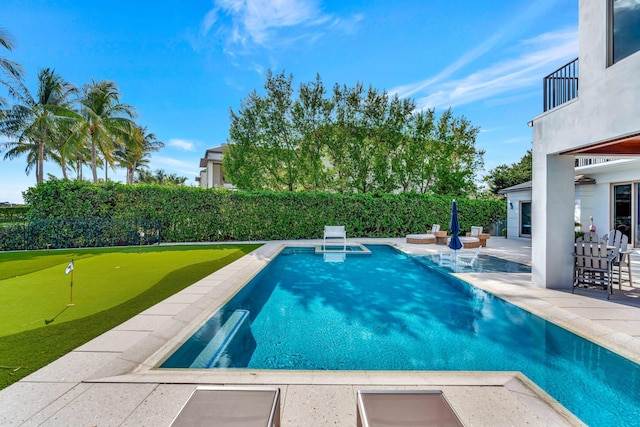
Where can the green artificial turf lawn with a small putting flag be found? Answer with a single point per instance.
(109, 287)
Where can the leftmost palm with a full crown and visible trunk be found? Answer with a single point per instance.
(33, 120)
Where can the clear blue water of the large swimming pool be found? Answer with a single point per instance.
(390, 311)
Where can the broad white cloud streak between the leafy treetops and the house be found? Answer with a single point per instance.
(541, 55)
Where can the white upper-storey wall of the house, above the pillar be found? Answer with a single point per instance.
(607, 105)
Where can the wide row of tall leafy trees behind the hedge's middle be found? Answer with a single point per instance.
(349, 139)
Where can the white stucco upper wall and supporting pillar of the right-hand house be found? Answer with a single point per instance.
(606, 108)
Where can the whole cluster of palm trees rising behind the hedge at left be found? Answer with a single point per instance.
(69, 127)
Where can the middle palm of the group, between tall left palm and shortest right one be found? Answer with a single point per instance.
(105, 119)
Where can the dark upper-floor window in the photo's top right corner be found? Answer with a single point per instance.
(624, 29)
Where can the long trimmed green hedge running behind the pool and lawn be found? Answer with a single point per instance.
(194, 214)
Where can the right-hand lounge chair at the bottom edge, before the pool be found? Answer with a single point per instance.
(388, 408)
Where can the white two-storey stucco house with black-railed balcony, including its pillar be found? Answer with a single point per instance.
(598, 117)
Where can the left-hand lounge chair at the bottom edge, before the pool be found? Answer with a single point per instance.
(231, 407)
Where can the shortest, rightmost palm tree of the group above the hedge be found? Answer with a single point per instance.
(135, 149)
